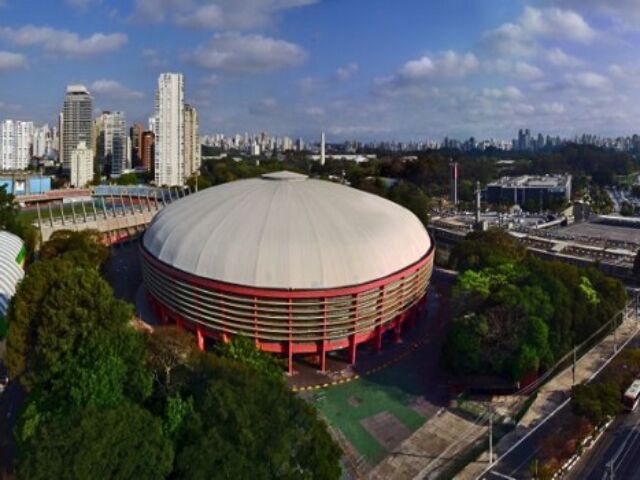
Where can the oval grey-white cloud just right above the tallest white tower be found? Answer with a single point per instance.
(236, 52)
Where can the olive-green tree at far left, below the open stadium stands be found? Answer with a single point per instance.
(57, 309)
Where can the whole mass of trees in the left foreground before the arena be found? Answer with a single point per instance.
(107, 401)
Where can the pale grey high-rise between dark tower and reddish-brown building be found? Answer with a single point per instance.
(112, 142)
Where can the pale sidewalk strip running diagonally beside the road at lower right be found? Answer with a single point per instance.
(553, 393)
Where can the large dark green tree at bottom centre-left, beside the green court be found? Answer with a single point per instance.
(231, 432)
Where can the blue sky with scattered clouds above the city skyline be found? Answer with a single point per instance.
(367, 69)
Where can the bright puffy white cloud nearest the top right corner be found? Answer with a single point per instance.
(520, 38)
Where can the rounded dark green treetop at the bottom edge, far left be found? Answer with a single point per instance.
(124, 442)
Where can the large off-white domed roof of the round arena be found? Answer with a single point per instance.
(286, 231)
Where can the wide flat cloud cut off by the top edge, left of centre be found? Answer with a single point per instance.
(219, 14)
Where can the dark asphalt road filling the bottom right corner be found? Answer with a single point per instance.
(620, 444)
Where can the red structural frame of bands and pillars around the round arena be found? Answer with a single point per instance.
(290, 347)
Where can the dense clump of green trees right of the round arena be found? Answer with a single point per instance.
(516, 314)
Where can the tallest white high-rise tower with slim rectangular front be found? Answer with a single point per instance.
(169, 130)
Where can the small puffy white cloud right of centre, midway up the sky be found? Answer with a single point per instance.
(446, 64)
